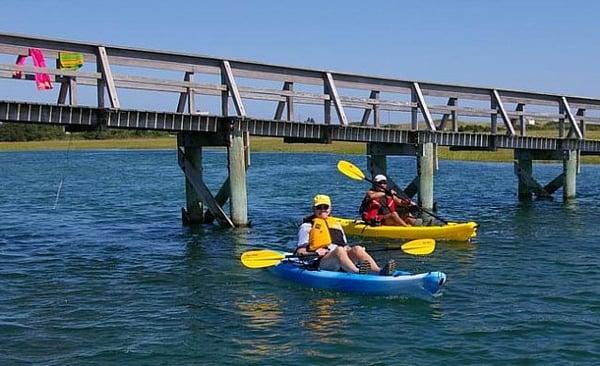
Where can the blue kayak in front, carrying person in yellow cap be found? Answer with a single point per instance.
(403, 284)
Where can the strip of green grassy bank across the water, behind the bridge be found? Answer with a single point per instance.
(259, 144)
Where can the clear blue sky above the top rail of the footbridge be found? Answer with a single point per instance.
(546, 46)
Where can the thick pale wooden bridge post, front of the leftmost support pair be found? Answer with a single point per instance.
(237, 179)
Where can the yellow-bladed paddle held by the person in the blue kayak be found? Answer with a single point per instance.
(267, 258)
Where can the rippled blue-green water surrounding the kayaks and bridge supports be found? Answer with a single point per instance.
(111, 277)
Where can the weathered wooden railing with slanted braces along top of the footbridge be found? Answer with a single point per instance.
(114, 64)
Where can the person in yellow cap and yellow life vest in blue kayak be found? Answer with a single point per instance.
(321, 234)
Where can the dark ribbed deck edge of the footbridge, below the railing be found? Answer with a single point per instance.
(92, 117)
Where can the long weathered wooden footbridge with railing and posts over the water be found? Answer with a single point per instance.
(109, 70)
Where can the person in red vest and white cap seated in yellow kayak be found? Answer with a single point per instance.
(383, 207)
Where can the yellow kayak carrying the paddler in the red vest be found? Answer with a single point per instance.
(453, 231)
